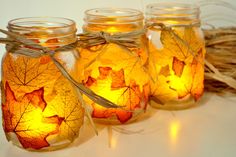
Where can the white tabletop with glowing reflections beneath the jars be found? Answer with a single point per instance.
(208, 130)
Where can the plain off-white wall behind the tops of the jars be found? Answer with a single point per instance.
(74, 9)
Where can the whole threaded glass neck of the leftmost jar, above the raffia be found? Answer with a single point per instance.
(48, 31)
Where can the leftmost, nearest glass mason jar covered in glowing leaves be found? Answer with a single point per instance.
(40, 107)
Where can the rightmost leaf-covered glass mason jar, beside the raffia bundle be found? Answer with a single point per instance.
(177, 50)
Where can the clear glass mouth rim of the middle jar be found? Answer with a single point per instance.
(119, 15)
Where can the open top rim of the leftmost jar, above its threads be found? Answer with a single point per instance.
(40, 22)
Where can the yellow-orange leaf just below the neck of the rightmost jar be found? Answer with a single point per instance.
(182, 43)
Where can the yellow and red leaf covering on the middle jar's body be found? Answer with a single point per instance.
(110, 72)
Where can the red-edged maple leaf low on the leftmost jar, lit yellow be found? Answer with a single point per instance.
(26, 120)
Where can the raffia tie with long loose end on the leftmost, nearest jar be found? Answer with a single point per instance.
(15, 44)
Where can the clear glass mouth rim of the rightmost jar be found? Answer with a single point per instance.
(173, 9)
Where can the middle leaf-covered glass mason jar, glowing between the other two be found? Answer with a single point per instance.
(115, 72)
